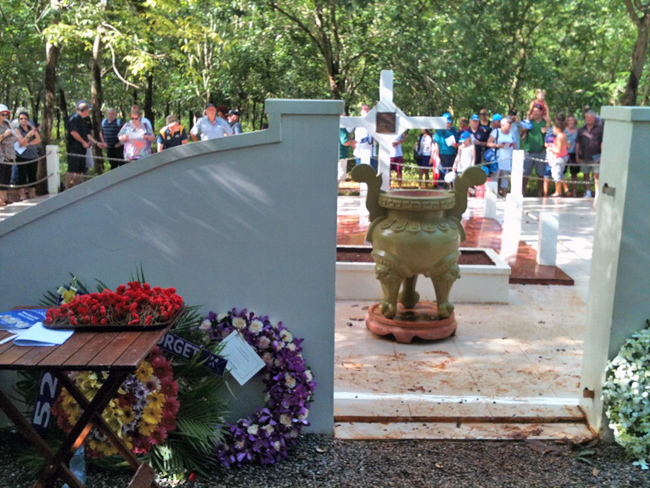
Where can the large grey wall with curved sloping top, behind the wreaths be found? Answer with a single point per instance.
(247, 221)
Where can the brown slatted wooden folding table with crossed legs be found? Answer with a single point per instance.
(118, 354)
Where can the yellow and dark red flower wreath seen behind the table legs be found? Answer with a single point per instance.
(142, 414)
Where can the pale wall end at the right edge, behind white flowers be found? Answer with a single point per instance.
(620, 264)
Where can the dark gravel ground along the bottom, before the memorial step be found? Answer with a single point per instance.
(321, 461)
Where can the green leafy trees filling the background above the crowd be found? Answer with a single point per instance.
(175, 56)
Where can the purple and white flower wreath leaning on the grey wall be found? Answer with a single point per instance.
(266, 436)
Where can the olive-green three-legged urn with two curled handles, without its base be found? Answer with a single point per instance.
(416, 232)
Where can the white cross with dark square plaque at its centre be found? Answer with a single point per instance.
(402, 123)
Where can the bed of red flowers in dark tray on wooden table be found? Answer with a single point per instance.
(135, 303)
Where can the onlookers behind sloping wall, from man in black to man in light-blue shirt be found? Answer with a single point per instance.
(132, 140)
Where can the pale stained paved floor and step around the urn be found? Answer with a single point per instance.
(510, 372)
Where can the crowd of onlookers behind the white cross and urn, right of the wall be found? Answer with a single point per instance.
(554, 148)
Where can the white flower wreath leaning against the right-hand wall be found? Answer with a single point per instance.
(626, 397)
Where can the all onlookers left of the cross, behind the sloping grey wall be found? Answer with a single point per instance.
(122, 141)
